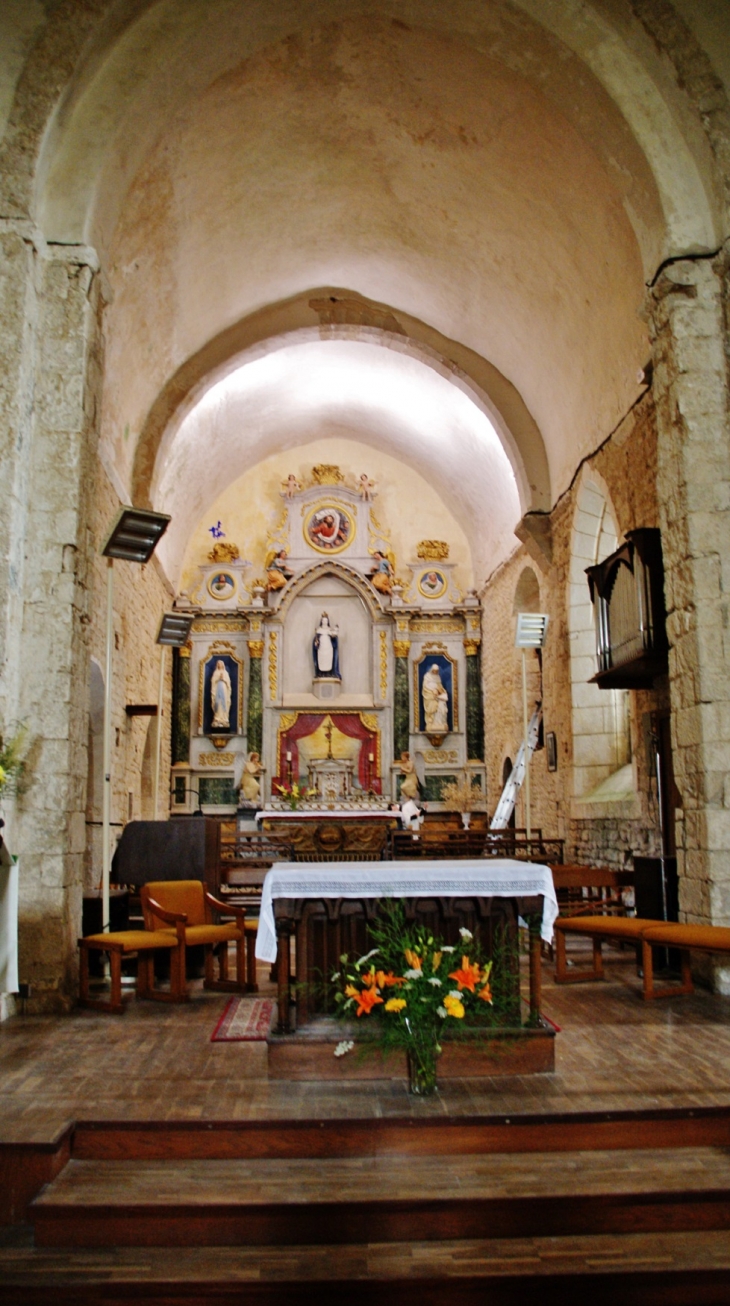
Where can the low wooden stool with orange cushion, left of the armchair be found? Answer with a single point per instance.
(146, 944)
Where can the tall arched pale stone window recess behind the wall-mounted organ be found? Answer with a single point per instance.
(600, 718)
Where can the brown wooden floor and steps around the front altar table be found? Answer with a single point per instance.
(609, 1180)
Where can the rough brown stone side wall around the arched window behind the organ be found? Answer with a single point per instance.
(599, 829)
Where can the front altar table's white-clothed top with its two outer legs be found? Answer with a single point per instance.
(528, 885)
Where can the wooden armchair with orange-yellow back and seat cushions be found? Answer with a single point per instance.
(165, 903)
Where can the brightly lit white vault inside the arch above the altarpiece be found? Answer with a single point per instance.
(386, 400)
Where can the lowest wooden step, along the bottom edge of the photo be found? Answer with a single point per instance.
(635, 1270)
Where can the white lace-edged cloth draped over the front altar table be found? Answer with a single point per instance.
(468, 878)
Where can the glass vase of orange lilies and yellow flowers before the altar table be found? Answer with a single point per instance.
(417, 989)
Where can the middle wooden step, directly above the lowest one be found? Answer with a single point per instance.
(383, 1200)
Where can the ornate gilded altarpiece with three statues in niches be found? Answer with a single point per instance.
(323, 667)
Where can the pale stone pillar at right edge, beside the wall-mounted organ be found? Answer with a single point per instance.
(688, 314)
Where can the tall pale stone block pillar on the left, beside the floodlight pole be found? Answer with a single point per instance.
(46, 675)
